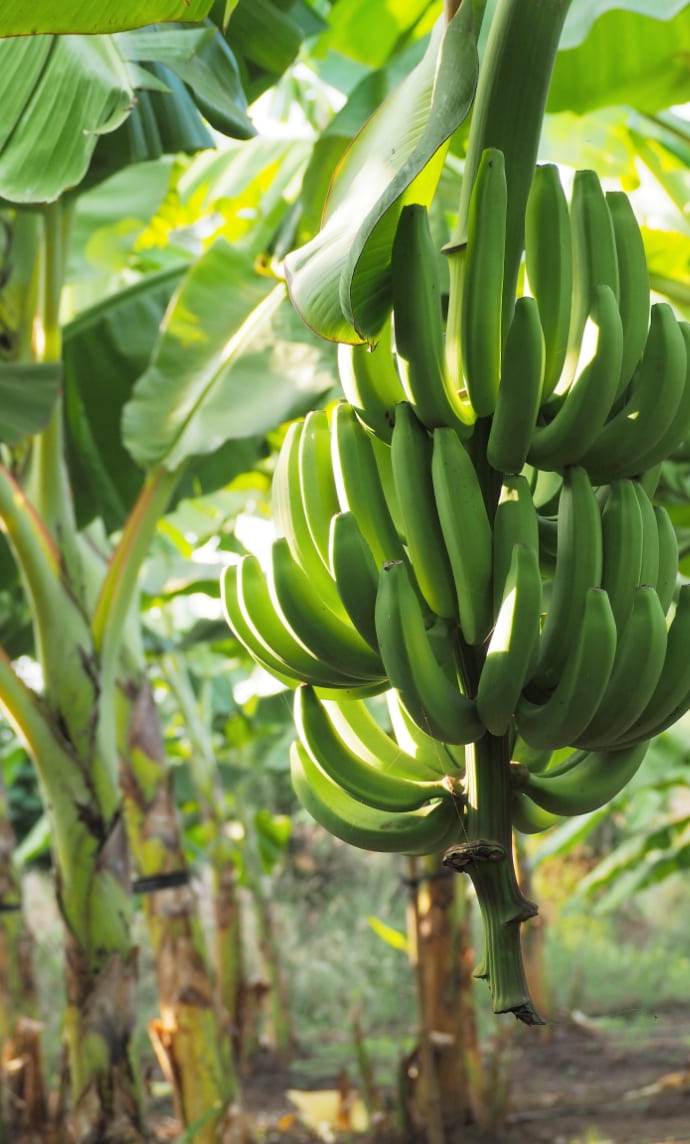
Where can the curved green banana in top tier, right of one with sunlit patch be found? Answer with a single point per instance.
(653, 401)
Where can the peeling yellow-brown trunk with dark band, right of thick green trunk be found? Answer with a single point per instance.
(191, 1042)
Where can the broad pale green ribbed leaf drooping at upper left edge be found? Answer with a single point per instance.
(59, 96)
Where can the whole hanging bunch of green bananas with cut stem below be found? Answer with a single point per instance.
(473, 534)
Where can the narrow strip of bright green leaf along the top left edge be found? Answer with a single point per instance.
(27, 18)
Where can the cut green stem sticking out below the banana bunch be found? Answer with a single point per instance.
(487, 859)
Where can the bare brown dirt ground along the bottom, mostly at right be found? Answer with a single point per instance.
(573, 1084)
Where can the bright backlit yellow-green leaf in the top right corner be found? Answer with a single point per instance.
(633, 58)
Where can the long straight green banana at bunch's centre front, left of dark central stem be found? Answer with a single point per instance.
(466, 533)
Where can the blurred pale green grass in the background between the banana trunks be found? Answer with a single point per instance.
(618, 970)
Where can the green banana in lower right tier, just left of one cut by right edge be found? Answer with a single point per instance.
(637, 672)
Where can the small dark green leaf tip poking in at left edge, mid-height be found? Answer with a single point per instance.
(28, 395)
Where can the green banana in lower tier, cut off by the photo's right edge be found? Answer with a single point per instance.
(672, 695)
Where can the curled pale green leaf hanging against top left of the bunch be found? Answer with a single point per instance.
(340, 282)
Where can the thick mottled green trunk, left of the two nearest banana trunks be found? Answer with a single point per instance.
(92, 872)
